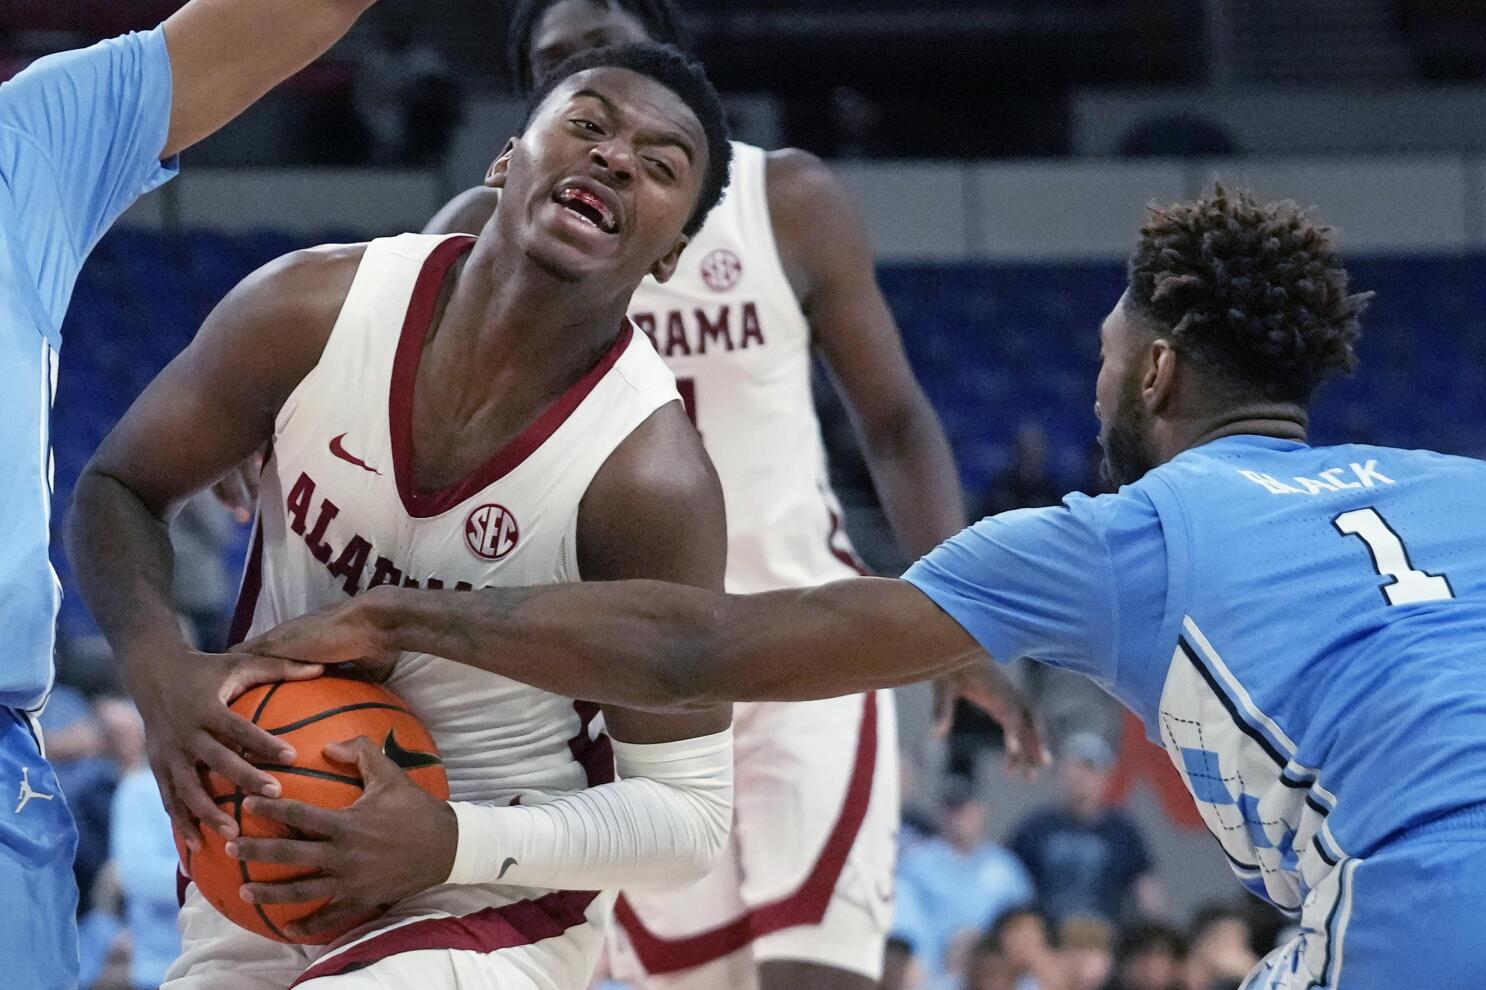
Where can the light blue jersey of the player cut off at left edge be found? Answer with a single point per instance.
(81, 137)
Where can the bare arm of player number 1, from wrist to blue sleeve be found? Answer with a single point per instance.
(665, 647)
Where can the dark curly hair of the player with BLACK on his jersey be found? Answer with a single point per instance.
(1253, 294)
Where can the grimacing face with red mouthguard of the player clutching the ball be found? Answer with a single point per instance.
(604, 179)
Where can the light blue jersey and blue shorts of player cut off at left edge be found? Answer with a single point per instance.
(81, 137)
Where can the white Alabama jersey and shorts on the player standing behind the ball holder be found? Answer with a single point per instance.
(808, 875)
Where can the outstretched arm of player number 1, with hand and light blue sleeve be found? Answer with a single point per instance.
(1035, 583)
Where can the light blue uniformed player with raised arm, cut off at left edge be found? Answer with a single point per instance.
(82, 136)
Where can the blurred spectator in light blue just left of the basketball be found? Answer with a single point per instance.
(142, 850)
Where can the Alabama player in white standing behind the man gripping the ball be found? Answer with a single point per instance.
(781, 273)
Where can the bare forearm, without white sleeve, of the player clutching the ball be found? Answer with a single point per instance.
(124, 563)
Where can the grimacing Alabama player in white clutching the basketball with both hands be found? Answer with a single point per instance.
(454, 412)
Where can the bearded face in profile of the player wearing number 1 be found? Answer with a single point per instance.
(1124, 420)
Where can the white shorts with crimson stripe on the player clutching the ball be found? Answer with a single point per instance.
(448, 939)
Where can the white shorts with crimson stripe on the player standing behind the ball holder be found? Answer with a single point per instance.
(809, 869)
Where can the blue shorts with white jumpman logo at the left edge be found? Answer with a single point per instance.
(38, 891)
